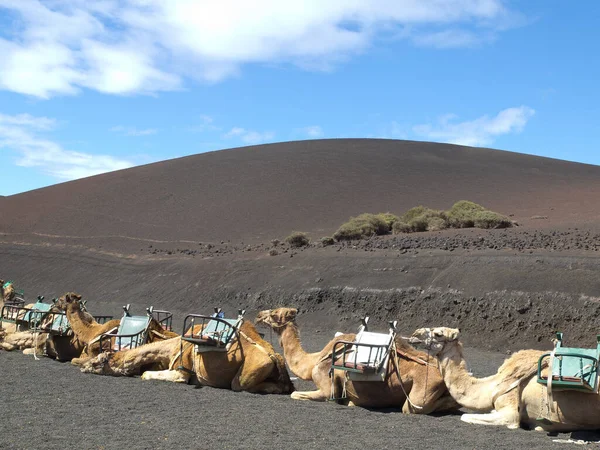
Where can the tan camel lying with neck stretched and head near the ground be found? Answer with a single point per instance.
(250, 364)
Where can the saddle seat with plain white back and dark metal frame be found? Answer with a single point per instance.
(364, 359)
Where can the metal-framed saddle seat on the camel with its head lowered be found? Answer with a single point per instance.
(211, 333)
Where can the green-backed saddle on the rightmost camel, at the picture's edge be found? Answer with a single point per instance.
(572, 368)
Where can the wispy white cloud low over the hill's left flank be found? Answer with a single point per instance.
(21, 134)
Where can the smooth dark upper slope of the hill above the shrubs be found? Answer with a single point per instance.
(263, 192)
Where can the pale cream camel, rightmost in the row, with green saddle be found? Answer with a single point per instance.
(512, 396)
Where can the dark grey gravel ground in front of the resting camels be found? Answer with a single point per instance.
(51, 405)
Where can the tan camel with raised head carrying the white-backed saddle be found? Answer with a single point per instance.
(410, 376)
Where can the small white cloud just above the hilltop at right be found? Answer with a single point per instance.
(478, 132)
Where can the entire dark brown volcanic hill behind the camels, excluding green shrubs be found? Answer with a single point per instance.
(194, 232)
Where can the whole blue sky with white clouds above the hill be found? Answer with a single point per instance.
(92, 86)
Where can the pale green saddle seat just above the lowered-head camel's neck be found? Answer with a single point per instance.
(131, 333)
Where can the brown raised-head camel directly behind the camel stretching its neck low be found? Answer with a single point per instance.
(88, 334)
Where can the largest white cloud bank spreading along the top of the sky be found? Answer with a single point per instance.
(58, 47)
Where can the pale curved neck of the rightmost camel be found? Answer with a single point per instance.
(468, 391)
